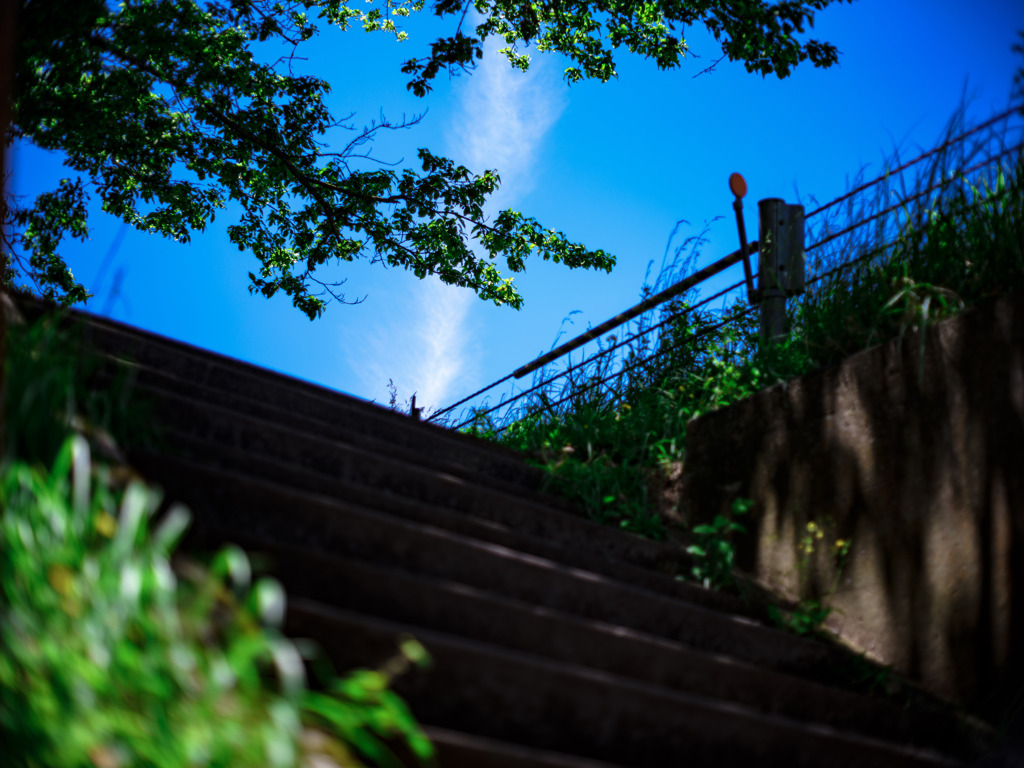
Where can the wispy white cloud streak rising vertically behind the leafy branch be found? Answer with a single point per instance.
(500, 123)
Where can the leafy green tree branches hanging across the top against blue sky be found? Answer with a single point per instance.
(165, 111)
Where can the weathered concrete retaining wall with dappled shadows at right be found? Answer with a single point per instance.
(920, 462)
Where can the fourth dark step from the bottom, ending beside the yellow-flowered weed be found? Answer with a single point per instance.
(345, 530)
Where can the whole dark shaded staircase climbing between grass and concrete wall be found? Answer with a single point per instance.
(557, 643)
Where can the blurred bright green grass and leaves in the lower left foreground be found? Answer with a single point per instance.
(116, 651)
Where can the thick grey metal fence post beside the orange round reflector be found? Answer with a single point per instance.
(781, 269)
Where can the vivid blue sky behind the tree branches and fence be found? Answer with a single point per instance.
(613, 165)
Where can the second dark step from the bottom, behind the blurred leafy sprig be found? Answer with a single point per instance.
(504, 695)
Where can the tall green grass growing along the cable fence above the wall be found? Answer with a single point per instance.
(612, 433)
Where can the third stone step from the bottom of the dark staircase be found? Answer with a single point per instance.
(418, 602)
